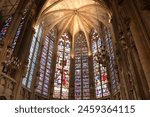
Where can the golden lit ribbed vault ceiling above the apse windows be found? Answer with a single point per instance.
(74, 15)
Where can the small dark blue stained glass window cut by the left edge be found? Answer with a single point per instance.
(5, 27)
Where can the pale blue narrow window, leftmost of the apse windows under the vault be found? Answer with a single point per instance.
(32, 57)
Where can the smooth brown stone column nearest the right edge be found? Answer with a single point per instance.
(142, 42)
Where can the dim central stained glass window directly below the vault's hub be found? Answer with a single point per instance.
(82, 90)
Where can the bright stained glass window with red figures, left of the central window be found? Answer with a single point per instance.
(62, 73)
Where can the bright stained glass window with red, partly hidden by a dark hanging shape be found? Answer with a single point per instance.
(100, 71)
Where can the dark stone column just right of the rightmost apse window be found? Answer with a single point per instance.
(121, 59)
